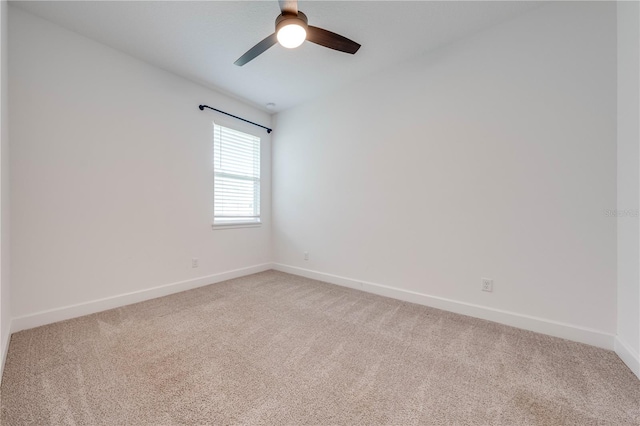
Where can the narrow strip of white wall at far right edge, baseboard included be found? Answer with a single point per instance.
(628, 342)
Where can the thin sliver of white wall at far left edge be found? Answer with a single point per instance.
(5, 296)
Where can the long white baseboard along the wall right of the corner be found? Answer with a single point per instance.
(526, 322)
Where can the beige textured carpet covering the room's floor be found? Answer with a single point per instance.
(274, 348)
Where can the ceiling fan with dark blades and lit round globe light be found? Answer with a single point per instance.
(292, 30)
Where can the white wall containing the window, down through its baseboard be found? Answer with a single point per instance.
(112, 178)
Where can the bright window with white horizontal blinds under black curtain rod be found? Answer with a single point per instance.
(236, 177)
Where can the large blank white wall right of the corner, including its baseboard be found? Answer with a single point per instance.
(492, 157)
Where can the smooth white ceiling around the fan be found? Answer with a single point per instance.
(200, 40)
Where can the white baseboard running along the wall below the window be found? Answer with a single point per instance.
(67, 312)
